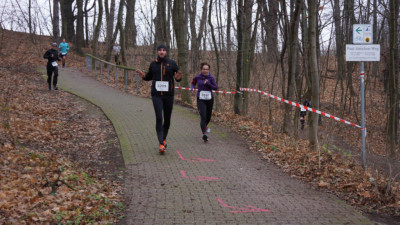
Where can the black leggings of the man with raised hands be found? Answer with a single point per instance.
(163, 103)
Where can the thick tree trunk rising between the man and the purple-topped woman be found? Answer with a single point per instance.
(180, 27)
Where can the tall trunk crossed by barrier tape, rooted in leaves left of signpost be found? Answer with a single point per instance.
(312, 14)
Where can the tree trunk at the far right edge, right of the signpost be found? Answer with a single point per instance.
(393, 117)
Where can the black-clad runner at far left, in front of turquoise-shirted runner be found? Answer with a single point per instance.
(52, 66)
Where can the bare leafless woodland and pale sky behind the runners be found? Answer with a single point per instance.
(293, 49)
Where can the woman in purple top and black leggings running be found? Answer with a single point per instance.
(205, 97)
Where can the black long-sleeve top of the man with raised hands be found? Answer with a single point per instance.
(162, 70)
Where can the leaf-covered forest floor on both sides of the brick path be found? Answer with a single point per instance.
(50, 133)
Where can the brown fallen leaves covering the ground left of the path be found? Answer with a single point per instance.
(45, 141)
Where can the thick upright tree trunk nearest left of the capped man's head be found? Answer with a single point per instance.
(130, 24)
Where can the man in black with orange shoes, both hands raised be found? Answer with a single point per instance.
(162, 72)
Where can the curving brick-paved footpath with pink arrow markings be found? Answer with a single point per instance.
(219, 182)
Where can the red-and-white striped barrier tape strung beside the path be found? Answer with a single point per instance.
(285, 101)
